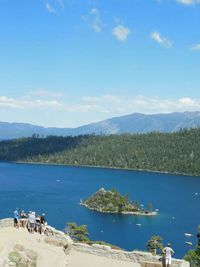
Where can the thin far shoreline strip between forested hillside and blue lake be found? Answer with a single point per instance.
(103, 167)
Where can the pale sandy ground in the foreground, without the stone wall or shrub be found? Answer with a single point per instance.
(49, 255)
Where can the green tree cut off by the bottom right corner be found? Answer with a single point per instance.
(193, 256)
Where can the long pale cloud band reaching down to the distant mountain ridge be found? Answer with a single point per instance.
(89, 108)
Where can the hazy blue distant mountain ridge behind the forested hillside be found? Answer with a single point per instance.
(132, 123)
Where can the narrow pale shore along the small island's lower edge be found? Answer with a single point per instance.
(136, 213)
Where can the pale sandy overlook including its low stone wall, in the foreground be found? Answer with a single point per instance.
(34, 250)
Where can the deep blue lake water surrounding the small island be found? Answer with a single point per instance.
(57, 190)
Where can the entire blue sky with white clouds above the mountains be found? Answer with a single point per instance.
(67, 63)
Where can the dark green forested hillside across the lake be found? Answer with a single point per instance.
(167, 152)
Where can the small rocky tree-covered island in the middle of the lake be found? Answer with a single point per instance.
(111, 201)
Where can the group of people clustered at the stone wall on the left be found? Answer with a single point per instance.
(31, 221)
